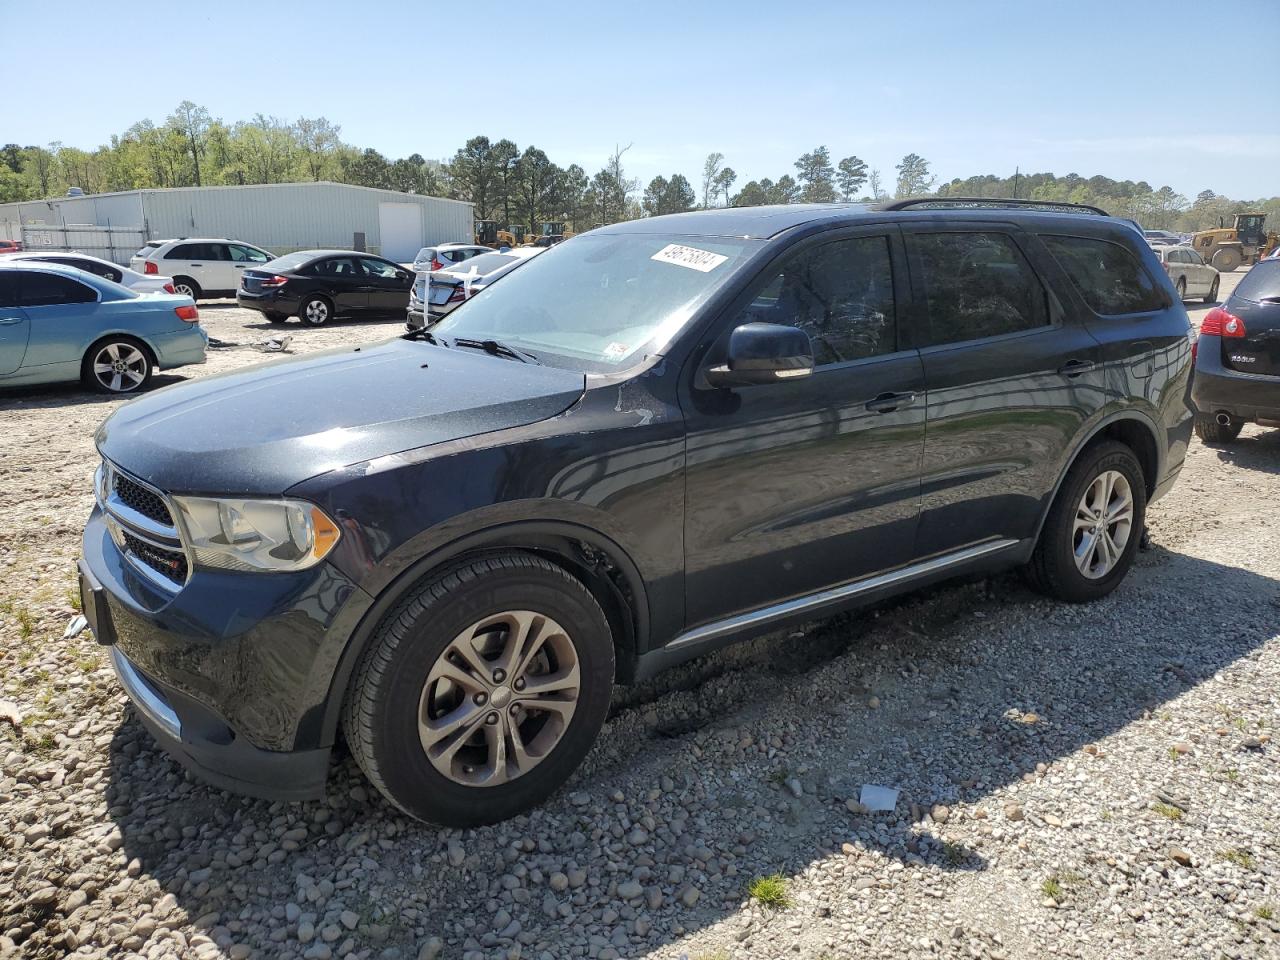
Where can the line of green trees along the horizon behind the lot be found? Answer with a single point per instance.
(527, 188)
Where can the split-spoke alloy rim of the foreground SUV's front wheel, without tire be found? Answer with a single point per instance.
(500, 698)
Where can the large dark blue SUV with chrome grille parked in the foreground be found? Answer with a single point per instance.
(659, 438)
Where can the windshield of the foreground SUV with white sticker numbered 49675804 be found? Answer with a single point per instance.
(600, 304)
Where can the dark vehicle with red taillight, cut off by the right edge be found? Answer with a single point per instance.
(1238, 359)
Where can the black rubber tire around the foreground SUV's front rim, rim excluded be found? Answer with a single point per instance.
(381, 715)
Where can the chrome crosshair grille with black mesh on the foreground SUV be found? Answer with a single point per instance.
(141, 523)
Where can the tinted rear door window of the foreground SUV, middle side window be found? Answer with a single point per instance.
(979, 286)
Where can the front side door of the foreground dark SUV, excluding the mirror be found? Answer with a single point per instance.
(808, 483)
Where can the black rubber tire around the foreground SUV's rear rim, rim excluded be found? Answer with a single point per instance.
(1053, 569)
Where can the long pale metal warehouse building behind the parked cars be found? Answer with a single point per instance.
(280, 217)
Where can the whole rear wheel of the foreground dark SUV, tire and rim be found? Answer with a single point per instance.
(1094, 528)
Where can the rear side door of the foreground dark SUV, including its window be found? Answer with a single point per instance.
(1012, 380)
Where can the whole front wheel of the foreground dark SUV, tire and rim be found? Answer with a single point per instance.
(483, 692)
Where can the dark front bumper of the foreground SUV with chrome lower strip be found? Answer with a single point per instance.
(232, 674)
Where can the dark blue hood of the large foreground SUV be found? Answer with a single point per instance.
(264, 429)
